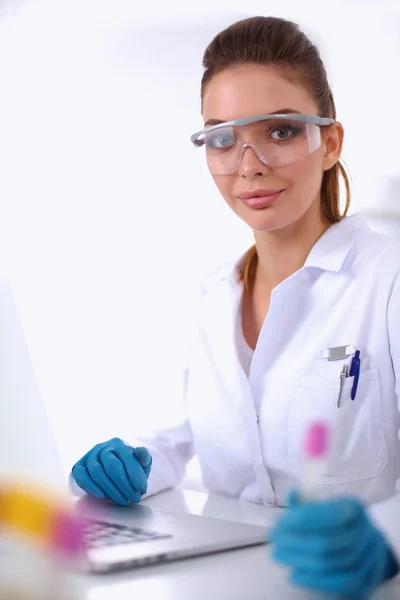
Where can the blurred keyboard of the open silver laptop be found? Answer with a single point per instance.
(101, 533)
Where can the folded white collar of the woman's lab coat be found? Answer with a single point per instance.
(332, 248)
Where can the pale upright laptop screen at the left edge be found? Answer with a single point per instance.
(27, 447)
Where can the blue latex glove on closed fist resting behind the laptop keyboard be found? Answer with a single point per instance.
(115, 471)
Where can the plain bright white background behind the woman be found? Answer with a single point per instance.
(107, 224)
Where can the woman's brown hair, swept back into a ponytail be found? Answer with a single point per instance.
(281, 44)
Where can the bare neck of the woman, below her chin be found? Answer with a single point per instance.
(283, 252)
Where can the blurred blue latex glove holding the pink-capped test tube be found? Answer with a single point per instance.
(332, 547)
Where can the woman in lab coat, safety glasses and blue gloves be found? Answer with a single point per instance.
(279, 329)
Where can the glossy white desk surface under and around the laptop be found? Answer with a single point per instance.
(247, 573)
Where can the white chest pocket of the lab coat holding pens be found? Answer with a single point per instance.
(357, 443)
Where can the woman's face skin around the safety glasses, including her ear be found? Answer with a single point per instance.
(250, 90)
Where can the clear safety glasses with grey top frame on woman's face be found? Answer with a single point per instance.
(278, 140)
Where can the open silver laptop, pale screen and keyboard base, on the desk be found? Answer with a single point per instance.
(116, 537)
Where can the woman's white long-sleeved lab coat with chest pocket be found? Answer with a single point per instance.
(347, 293)
